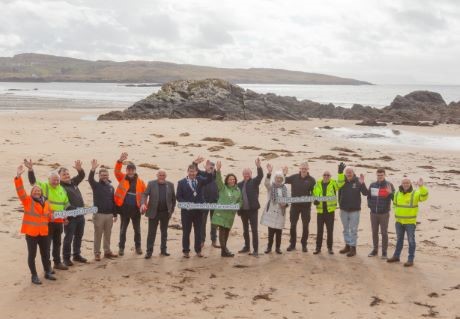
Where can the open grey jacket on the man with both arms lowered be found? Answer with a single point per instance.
(150, 198)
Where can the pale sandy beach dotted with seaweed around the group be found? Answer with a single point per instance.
(293, 285)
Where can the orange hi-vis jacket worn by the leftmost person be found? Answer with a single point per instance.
(36, 217)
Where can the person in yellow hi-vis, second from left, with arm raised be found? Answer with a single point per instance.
(59, 201)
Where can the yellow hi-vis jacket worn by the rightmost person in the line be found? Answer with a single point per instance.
(406, 205)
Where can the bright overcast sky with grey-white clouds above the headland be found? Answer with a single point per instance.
(411, 41)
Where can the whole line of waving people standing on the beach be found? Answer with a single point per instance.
(157, 200)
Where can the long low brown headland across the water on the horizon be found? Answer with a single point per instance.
(41, 67)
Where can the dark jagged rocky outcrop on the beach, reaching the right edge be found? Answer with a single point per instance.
(220, 100)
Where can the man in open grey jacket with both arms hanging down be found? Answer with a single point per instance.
(158, 203)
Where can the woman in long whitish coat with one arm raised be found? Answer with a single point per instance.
(274, 215)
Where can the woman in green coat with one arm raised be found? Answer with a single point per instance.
(229, 194)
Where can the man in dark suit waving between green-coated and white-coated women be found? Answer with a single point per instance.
(249, 212)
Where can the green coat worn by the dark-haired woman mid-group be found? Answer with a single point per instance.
(227, 195)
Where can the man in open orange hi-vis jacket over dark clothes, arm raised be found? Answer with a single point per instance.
(127, 198)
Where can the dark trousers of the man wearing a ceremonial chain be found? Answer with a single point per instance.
(191, 218)
